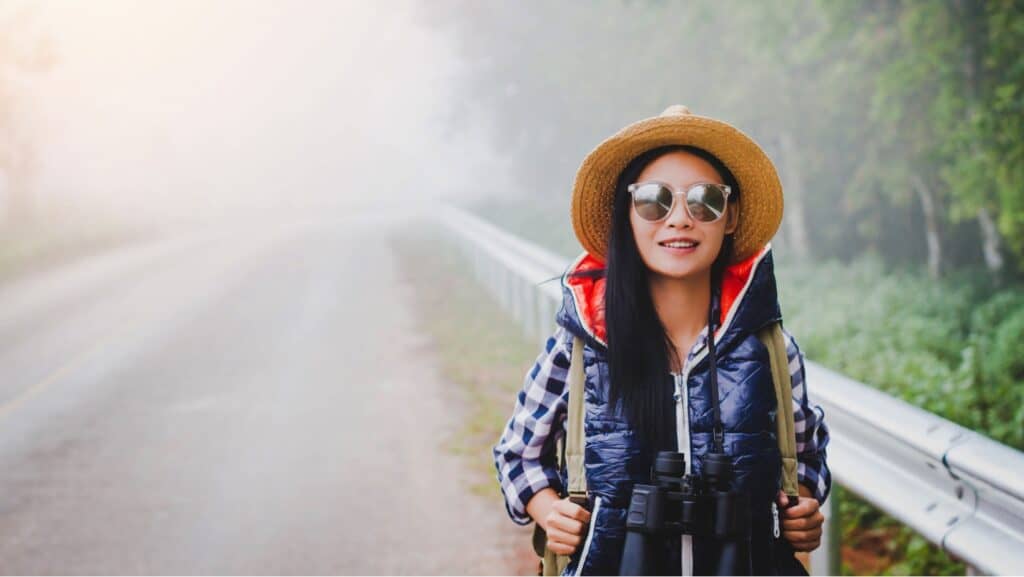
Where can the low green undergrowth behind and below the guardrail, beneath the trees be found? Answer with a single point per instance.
(953, 348)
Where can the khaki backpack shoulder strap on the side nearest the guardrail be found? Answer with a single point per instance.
(774, 340)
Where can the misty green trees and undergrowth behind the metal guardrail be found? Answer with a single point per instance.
(898, 129)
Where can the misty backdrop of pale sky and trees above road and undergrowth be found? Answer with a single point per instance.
(891, 126)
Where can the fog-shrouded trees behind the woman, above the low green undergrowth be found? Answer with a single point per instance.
(865, 108)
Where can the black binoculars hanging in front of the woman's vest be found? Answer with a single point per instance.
(677, 505)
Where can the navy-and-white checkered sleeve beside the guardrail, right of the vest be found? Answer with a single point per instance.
(813, 433)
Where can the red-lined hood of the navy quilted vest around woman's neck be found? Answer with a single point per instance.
(750, 299)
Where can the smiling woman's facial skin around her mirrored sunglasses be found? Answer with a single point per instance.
(681, 170)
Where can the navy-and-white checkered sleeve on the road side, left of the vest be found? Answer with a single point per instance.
(526, 456)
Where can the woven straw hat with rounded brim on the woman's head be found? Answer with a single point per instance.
(760, 190)
